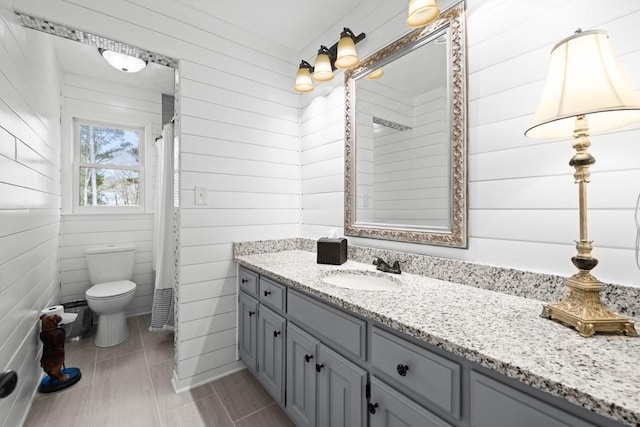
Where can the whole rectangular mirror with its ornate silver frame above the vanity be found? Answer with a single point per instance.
(406, 138)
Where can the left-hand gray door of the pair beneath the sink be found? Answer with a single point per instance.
(301, 376)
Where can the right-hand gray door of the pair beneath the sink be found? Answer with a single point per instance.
(341, 391)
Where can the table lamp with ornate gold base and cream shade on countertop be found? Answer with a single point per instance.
(585, 93)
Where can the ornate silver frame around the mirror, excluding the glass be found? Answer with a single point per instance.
(457, 235)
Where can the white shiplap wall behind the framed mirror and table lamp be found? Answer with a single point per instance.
(522, 200)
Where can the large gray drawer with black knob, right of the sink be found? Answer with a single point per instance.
(415, 370)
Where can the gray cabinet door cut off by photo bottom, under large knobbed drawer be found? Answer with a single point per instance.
(389, 408)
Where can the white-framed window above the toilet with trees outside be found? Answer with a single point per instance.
(109, 165)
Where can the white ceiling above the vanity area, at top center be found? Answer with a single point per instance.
(290, 23)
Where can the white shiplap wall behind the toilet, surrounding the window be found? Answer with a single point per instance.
(91, 99)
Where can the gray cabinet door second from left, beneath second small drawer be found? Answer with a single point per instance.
(271, 340)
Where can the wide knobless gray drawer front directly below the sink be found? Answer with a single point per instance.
(341, 329)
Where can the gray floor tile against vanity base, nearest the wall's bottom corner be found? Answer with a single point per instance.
(241, 394)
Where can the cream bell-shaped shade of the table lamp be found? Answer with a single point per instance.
(584, 78)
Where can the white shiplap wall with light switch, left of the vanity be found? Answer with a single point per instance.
(239, 137)
